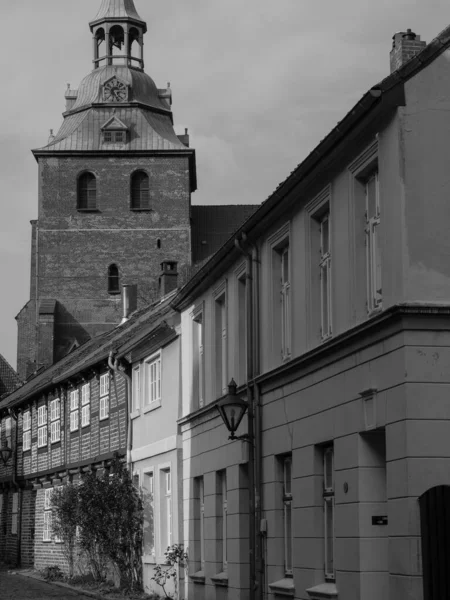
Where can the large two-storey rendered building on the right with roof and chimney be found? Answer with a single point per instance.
(329, 307)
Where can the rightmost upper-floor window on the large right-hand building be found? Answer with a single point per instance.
(373, 260)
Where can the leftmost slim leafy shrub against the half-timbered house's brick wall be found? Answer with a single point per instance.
(64, 503)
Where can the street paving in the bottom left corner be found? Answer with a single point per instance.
(18, 587)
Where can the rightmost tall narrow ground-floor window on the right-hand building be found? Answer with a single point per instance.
(328, 504)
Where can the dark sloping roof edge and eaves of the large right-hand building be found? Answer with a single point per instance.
(377, 101)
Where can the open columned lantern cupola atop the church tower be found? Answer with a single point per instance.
(118, 35)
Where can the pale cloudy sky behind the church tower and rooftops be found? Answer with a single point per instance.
(258, 83)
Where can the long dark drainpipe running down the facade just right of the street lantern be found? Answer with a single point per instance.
(256, 589)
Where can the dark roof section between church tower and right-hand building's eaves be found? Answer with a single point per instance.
(213, 225)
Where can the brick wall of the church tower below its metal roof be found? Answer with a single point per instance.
(76, 248)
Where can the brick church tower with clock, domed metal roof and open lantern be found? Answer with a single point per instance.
(115, 188)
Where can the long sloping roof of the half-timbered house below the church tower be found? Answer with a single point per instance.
(92, 352)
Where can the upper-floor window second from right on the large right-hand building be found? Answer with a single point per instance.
(325, 277)
